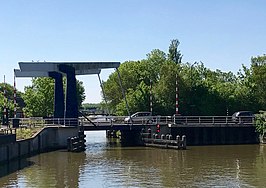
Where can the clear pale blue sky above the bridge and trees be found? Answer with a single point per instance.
(221, 34)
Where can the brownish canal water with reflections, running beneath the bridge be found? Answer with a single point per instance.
(106, 164)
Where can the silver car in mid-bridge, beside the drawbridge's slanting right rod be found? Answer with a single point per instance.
(139, 117)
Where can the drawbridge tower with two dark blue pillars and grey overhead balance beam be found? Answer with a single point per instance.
(63, 108)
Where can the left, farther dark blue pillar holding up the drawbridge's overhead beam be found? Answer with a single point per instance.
(58, 95)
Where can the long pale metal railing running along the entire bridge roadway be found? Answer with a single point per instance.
(121, 120)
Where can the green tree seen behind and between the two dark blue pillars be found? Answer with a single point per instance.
(39, 97)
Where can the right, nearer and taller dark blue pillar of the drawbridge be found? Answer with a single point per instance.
(71, 110)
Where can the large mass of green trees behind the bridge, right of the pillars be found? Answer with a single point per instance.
(201, 91)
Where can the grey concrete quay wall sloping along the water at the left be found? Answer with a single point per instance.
(48, 139)
